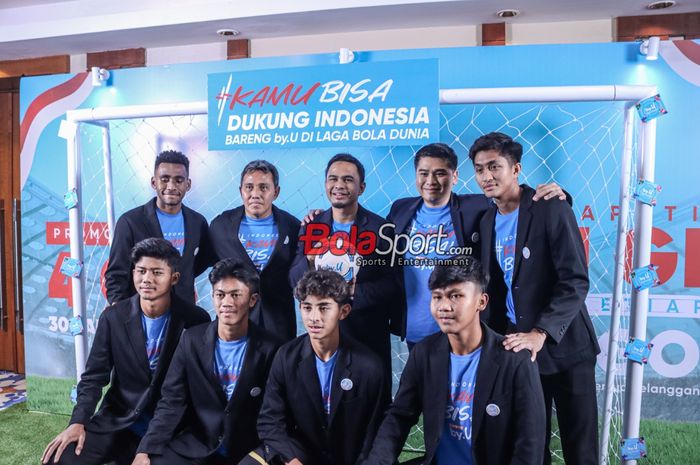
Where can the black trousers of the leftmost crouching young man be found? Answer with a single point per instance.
(118, 447)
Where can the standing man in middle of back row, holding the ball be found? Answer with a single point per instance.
(374, 287)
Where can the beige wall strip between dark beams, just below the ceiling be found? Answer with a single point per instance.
(429, 37)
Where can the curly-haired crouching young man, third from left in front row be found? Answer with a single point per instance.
(326, 393)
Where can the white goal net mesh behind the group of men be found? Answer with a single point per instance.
(577, 145)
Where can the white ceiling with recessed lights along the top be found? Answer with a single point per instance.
(31, 28)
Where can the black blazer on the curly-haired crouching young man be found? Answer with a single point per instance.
(292, 422)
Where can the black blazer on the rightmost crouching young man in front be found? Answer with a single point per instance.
(509, 380)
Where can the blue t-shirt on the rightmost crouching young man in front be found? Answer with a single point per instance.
(456, 440)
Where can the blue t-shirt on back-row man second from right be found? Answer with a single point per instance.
(420, 322)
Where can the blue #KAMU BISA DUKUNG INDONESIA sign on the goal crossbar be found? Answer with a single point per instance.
(385, 103)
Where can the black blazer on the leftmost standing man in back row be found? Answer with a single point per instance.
(141, 223)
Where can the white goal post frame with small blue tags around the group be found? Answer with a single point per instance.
(645, 159)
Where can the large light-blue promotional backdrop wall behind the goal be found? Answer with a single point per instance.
(578, 145)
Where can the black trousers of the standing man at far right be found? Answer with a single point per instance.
(574, 395)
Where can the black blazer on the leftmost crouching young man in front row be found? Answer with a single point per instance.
(118, 355)
